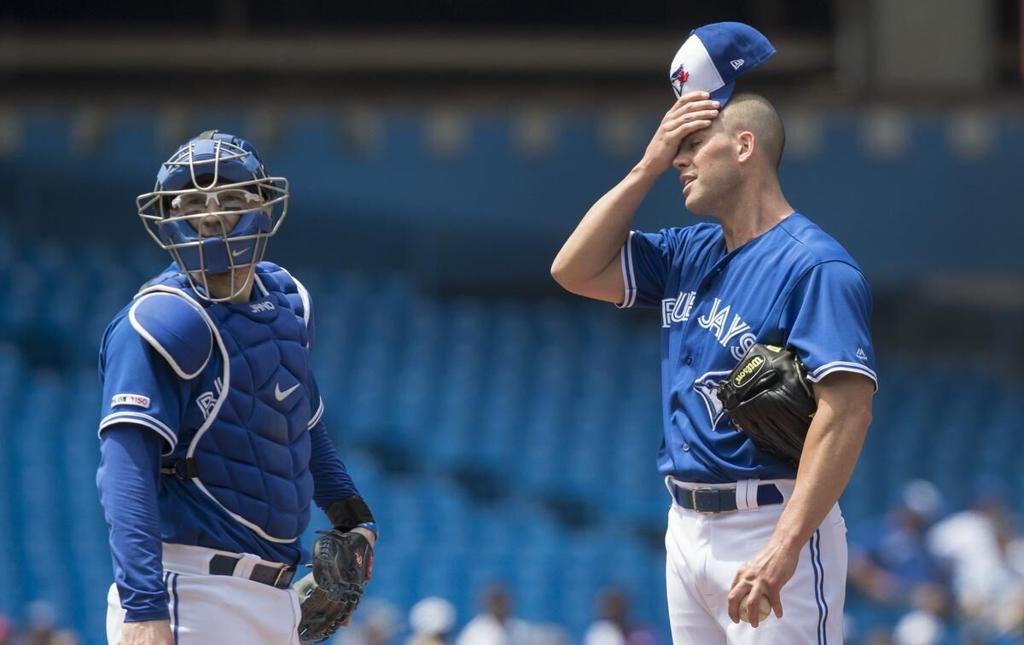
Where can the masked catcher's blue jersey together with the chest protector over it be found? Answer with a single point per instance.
(233, 505)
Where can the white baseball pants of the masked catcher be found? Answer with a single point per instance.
(222, 610)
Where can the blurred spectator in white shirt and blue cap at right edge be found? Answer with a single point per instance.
(982, 546)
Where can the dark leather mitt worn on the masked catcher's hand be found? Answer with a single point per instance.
(343, 566)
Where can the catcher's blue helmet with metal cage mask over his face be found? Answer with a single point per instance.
(209, 182)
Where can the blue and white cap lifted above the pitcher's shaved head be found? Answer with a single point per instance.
(715, 56)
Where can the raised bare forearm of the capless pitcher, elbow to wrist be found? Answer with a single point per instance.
(601, 235)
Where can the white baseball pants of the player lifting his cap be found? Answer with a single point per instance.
(705, 551)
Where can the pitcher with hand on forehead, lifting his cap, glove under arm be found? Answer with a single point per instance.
(767, 366)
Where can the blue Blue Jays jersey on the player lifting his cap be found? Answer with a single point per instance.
(793, 286)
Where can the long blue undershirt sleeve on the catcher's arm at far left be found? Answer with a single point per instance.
(127, 480)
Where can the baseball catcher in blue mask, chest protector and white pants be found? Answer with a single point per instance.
(214, 445)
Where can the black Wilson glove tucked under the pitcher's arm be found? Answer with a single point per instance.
(769, 398)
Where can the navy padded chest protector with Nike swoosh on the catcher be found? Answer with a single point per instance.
(251, 453)
